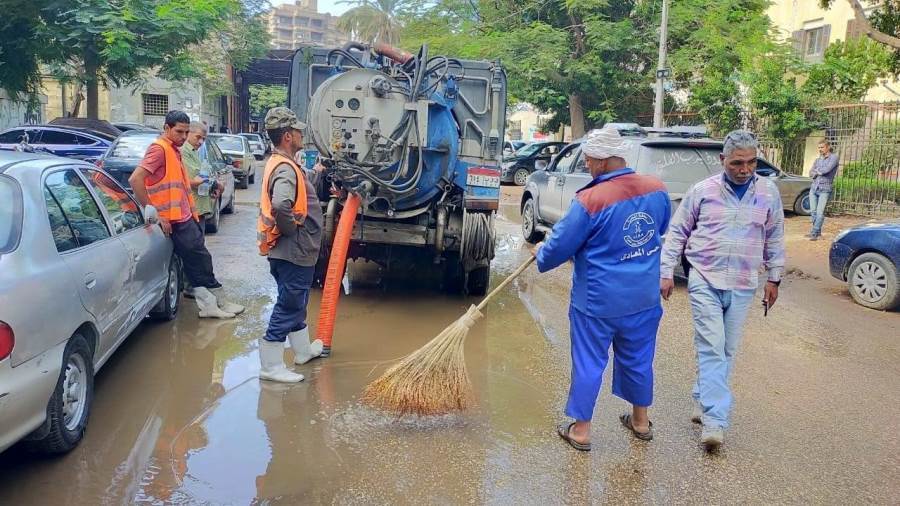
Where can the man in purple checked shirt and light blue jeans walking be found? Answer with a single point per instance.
(727, 227)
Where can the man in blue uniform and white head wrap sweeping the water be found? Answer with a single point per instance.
(613, 232)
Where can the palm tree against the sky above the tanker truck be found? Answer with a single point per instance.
(375, 20)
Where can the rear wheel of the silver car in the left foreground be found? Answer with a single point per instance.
(70, 405)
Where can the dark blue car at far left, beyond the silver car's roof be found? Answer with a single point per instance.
(70, 142)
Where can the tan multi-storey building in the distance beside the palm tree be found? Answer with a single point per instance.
(300, 23)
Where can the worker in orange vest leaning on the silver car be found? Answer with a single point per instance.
(161, 181)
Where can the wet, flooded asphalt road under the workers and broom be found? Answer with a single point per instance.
(180, 417)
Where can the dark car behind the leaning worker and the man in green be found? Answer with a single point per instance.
(128, 150)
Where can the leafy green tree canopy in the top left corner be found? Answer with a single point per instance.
(96, 42)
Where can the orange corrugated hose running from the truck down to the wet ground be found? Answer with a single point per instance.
(335, 273)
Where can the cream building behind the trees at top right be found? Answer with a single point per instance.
(811, 29)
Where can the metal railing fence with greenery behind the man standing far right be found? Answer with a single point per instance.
(866, 138)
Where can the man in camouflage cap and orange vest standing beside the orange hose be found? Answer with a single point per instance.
(290, 233)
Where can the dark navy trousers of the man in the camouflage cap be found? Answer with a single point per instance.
(289, 313)
